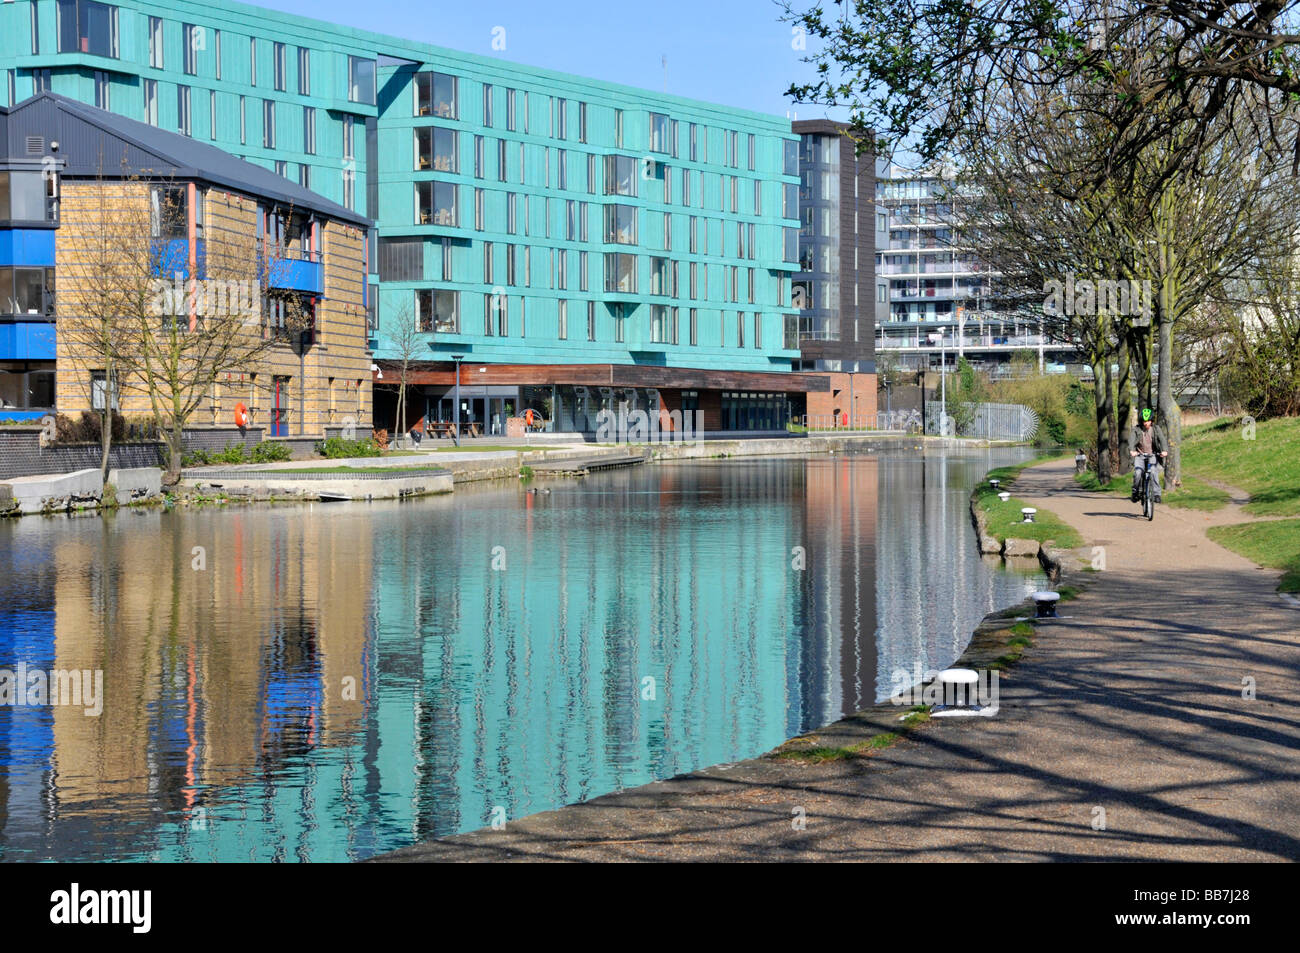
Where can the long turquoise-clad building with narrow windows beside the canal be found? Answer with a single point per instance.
(564, 245)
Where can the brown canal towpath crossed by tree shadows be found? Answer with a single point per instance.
(1128, 712)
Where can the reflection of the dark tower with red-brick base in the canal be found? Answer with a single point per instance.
(838, 653)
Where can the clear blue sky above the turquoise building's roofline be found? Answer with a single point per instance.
(734, 53)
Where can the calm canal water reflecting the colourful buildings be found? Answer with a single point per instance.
(331, 683)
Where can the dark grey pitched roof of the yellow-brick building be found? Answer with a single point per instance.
(94, 142)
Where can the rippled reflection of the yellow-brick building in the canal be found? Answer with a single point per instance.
(213, 675)
